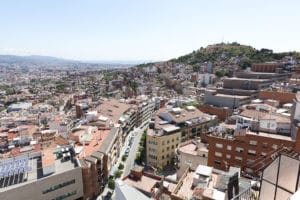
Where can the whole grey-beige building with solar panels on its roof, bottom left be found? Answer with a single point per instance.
(53, 173)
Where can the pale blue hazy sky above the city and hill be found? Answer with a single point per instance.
(143, 30)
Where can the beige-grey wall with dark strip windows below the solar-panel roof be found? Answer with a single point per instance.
(33, 190)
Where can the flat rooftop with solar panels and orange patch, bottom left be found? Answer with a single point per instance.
(33, 166)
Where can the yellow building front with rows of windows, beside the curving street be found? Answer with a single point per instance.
(161, 145)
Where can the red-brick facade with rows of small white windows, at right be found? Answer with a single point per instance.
(250, 151)
